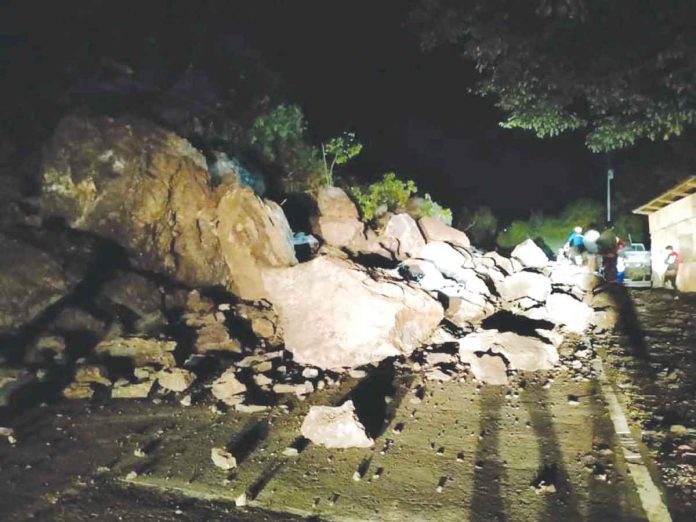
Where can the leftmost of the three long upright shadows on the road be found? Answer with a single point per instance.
(487, 502)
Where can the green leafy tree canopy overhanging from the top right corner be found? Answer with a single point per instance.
(619, 70)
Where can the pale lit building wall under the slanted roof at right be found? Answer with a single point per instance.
(675, 225)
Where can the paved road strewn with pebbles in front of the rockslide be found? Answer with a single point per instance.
(543, 449)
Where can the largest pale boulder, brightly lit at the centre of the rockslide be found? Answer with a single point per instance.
(335, 314)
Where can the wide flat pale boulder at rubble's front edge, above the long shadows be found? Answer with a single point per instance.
(522, 352)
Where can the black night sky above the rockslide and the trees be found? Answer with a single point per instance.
(355, 65)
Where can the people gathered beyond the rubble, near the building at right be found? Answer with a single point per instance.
(588, 248)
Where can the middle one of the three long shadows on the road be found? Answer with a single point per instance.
(561, 505)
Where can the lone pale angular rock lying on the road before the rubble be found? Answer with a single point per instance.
(335, 427)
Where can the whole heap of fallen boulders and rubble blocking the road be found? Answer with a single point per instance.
(432, 297)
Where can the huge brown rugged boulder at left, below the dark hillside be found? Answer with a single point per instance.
(149, 190)
